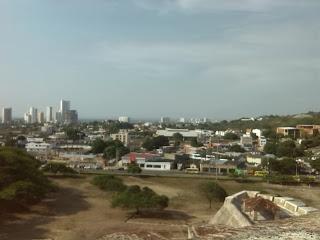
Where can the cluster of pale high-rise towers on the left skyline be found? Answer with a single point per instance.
(64, 115)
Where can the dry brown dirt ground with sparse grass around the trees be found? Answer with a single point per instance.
(78, 210)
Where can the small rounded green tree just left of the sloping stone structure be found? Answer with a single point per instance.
(213, 191)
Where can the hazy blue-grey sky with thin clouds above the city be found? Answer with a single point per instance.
(220, 59)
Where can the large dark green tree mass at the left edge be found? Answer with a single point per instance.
(21, 181)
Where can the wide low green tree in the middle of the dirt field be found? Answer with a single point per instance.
(136, 198)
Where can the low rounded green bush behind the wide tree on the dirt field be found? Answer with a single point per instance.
(109, 183)
